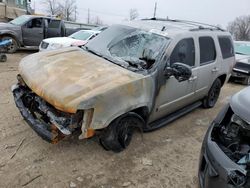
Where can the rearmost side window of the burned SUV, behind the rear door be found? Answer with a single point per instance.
(226, 47)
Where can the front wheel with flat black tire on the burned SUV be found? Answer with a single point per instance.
(117, 136)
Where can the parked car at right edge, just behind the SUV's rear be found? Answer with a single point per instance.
(241, 70)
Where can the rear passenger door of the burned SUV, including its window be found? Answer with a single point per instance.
(209, 66)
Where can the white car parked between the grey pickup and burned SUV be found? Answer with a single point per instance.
(79, 38)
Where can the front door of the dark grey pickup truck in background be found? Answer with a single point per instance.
(33, 32)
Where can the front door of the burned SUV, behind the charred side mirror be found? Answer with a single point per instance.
(174, 95)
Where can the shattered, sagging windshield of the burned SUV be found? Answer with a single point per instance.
(129, 47)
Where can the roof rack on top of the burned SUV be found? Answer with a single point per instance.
(200, 26)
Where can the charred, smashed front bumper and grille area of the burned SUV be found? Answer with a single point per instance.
(48, 122)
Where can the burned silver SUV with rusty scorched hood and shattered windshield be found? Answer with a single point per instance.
(141, 74)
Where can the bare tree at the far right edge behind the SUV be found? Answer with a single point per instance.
(240, 28)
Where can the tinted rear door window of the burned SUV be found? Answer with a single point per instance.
(207, 50)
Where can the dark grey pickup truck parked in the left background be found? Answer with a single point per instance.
(28, 31)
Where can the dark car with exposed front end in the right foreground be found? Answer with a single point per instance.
(225, 153)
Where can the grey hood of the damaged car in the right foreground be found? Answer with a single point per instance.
(240, 104)
